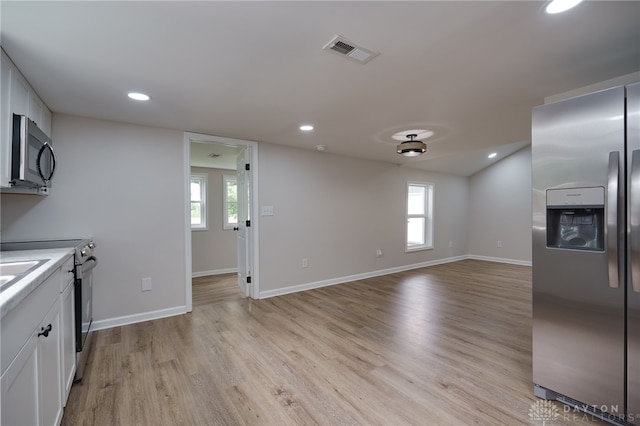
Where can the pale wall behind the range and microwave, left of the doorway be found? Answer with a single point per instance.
(123, 185)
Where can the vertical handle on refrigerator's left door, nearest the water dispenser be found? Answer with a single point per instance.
(612, 218)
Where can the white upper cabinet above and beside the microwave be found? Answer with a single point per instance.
(16, 97)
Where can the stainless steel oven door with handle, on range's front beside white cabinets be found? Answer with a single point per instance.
(84, 300)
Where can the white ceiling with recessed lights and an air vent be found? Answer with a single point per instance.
(469, 71)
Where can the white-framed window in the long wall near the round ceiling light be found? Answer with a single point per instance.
(419, 216)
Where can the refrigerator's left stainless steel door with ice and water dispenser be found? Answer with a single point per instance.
(578, 294)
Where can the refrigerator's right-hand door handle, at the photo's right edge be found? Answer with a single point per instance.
(634, 219)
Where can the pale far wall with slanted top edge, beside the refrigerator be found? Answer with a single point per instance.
(500, 210)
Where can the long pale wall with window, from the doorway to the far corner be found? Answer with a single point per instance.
(336, 211)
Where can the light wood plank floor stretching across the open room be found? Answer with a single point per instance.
(444, 345)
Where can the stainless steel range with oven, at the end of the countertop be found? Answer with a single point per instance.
(85, 261)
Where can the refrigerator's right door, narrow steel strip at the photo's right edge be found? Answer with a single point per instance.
(633, 229)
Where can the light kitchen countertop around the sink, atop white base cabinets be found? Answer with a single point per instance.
(13, 295)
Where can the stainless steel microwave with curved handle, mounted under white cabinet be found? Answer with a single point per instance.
(33, 161)
